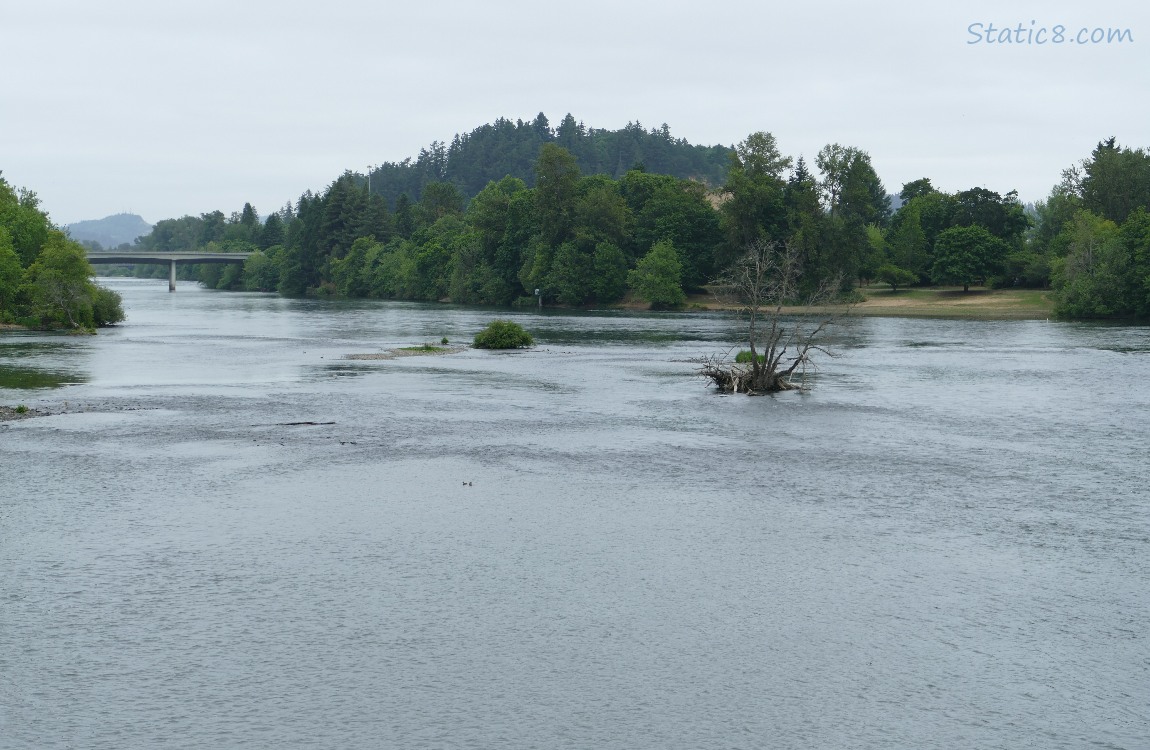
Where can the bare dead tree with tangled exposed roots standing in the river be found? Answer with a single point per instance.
(784, 332)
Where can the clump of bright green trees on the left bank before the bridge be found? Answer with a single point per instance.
(45, 278)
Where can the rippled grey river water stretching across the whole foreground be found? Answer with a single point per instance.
(945, 544)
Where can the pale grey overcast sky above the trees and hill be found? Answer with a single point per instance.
(178, 108)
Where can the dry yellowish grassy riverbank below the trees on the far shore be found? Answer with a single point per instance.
(946, 303)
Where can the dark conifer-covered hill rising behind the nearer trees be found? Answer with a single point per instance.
(505, 148)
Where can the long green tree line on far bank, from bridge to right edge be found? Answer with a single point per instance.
(579, 239)
